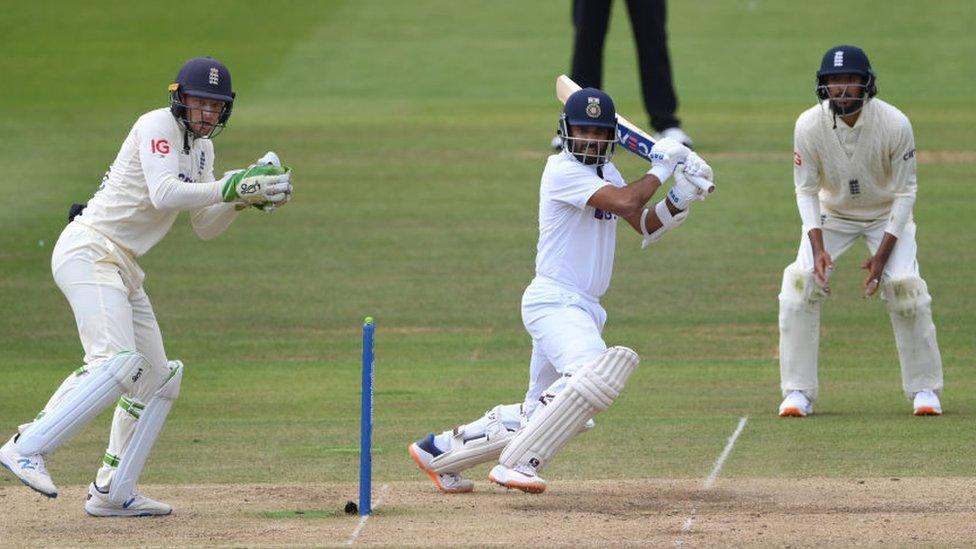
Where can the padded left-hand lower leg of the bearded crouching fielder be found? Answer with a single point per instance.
(799, 331)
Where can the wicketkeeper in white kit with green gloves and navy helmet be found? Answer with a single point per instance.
(165, 166)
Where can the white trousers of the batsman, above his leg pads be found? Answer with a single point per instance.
(566, 328)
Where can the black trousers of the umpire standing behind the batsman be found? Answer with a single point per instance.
(647, 19)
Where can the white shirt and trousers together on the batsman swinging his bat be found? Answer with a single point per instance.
(574, 262)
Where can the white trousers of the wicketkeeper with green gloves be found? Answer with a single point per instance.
(103, 285)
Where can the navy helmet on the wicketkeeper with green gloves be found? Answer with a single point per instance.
(206, 78)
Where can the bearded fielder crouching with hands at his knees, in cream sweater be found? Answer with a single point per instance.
(854, 171)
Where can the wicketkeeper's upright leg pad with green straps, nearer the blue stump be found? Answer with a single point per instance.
(148, 427)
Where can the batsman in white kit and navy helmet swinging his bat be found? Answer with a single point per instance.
(572, 374)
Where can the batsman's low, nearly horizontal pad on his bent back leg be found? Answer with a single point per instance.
(473, 448)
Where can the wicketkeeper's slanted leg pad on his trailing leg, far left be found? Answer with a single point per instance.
(101, 388)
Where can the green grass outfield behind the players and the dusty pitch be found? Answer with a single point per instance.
(417, 132)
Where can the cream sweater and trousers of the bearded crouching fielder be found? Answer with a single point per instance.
(854, 182)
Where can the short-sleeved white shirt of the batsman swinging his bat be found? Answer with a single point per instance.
(576, 241)
